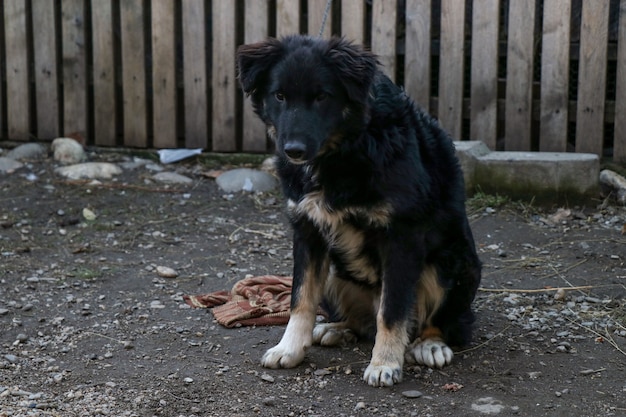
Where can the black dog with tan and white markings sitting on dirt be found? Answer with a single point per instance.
(376, 200)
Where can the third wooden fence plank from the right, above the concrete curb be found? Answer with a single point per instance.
(554, 75)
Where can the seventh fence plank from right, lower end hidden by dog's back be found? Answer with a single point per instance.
(417, 54)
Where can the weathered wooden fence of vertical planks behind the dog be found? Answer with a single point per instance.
(545, 75)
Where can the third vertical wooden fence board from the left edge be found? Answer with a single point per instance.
(74, 68)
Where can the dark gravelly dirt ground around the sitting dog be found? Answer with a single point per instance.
(88, 327)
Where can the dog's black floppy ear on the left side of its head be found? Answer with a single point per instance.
(254, 62)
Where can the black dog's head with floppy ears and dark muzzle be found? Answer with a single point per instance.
(309, 92)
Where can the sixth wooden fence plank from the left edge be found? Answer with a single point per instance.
(163, 74)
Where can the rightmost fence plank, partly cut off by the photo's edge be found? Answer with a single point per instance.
(619, 140)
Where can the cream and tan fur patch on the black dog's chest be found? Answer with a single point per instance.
(346, 231)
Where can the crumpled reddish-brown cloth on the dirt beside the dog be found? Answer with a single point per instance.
(254, 301)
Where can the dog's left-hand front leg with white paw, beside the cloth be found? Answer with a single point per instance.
(311, 266)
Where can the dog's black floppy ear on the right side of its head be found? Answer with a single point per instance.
(354, 66)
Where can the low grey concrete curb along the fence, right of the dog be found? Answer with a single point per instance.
(544, 177)
